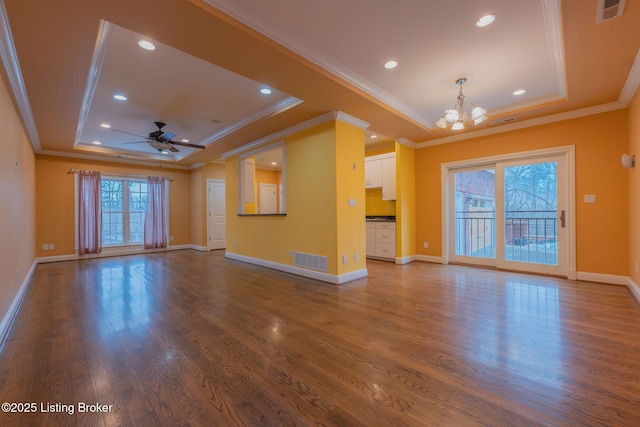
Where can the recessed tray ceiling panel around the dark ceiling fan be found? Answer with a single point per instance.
(198, 101)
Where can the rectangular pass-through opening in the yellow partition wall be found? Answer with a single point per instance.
(262, 181)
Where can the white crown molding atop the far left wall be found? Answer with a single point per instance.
(14, 74)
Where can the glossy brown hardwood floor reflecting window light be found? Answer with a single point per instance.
(189, 338)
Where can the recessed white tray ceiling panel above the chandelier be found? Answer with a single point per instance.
(434, 43)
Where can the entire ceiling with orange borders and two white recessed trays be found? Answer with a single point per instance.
(64, 63)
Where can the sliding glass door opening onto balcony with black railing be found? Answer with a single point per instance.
(510, 215)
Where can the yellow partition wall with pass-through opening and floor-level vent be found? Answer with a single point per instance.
(318, 176)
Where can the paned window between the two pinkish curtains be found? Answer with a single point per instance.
(123, 209)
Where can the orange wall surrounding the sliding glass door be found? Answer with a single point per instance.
(601, 228)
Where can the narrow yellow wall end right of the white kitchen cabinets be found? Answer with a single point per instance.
(406, 201)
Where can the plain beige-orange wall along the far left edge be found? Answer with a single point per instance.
(17, 198)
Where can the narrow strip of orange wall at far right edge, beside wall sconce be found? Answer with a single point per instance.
(633, 195)
